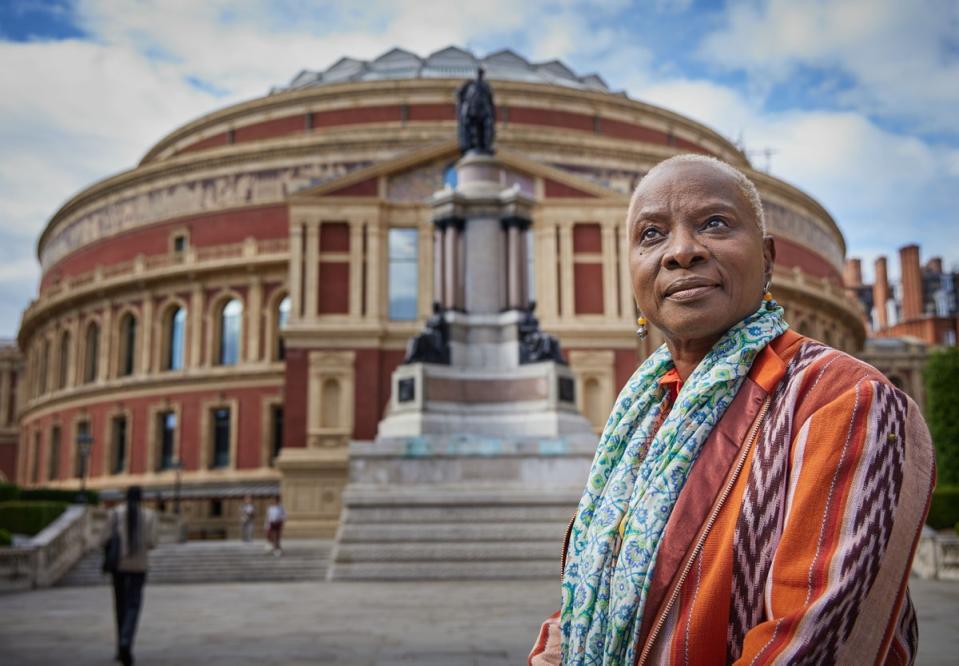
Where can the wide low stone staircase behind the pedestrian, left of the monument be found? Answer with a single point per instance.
(218, 562)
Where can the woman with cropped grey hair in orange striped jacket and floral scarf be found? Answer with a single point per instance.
(756, 496)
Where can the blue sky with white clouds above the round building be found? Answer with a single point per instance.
(856, 99)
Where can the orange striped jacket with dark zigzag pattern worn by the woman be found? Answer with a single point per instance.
(792, 540)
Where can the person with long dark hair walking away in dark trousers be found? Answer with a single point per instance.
(132, 533)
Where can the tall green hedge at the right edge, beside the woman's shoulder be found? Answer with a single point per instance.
(942, 396)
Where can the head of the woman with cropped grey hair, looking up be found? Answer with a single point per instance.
(698, 261)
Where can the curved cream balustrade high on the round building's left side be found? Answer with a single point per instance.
(157, 265)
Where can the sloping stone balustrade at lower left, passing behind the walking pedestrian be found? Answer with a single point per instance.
(55, 550)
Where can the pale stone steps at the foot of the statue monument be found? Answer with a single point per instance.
(434, 533)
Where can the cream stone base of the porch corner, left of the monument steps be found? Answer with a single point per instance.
(311, 483)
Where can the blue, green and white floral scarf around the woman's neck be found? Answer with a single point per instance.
(633, 485)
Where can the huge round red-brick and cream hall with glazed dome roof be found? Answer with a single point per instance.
(225, 317)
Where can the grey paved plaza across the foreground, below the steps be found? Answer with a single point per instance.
(334, 623)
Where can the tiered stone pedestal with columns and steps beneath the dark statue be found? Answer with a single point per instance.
(482, 455)
